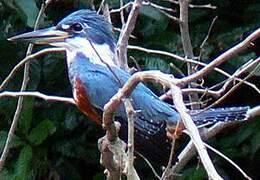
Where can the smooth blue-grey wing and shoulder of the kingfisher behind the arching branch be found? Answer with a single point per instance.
(102, 84)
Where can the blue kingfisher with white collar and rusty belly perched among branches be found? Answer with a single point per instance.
(90, 50)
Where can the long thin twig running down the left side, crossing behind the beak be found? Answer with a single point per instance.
(23, 87)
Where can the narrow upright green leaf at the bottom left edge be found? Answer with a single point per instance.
(24, 163)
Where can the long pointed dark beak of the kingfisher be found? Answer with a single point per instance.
(43, 36)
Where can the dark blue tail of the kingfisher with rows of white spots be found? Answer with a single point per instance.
(219, 115)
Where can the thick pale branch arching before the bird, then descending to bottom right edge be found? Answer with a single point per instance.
(168, 81)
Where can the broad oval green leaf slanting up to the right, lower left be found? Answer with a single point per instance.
(41, 132)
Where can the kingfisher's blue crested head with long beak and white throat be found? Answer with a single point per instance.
(79, 31)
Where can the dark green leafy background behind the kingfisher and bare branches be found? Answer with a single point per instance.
(55, 141)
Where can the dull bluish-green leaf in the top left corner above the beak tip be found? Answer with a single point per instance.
(30, 9)
